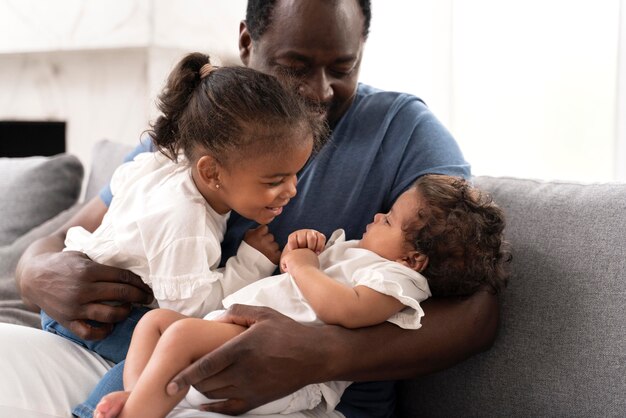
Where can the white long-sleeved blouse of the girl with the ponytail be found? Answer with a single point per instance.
(161, 228)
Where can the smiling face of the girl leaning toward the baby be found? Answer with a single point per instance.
(259, 187)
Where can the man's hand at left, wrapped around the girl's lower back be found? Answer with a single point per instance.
(70, 287)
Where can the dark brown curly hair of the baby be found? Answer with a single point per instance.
(460, 229)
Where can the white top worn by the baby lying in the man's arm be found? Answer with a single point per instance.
(345, 262)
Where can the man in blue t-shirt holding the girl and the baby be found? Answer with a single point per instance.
(381, 142)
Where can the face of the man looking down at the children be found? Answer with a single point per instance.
(319, 43)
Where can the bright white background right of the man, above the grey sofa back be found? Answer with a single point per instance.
(528, 87)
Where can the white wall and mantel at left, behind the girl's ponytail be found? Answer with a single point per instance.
(99, 66)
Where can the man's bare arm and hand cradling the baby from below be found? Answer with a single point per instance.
(276, 355)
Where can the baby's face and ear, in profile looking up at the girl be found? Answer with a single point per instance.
(385, 235)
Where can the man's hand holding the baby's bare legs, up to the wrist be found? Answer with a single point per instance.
(274, 357)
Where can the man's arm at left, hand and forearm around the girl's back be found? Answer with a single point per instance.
(69, 286)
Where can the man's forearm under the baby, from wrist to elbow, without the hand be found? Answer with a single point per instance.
(452, 331)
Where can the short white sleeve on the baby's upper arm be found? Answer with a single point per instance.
(402, 283)
